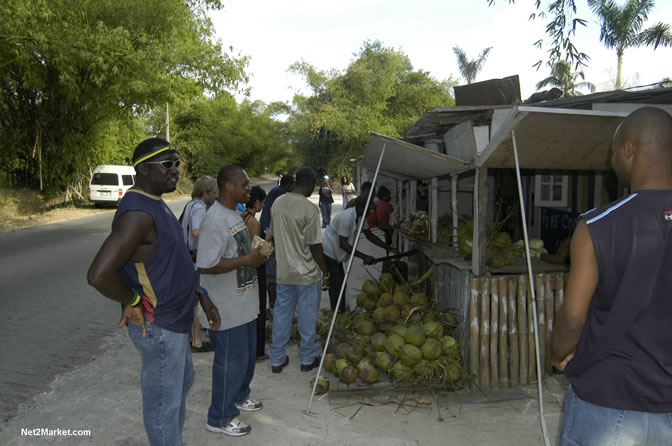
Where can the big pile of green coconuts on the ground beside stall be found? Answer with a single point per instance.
(396, 334)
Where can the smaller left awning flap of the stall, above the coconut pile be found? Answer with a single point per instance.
(404, 160)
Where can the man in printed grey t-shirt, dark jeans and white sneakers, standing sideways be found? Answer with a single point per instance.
(227, 264)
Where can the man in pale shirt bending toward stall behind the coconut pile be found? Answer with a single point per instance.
(337, 243)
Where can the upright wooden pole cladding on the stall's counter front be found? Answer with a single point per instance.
(501, 327)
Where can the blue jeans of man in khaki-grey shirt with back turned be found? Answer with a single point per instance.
(307, 298)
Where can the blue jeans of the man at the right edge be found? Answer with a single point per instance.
(588, 424)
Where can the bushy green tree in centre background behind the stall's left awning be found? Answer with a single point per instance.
(379, 91)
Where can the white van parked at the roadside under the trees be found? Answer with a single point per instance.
(109, 183)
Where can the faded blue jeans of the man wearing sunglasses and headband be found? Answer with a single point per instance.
(167, 374)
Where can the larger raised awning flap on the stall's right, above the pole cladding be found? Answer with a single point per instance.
(553, 138)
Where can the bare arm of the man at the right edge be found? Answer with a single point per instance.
(583, 279)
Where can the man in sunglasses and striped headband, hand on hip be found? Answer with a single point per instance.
(144, 264)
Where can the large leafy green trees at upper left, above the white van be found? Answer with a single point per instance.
(75, 72)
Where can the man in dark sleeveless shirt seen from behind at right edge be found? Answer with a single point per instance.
(613, 334)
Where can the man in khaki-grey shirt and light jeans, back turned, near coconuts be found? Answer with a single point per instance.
(295, 228)
